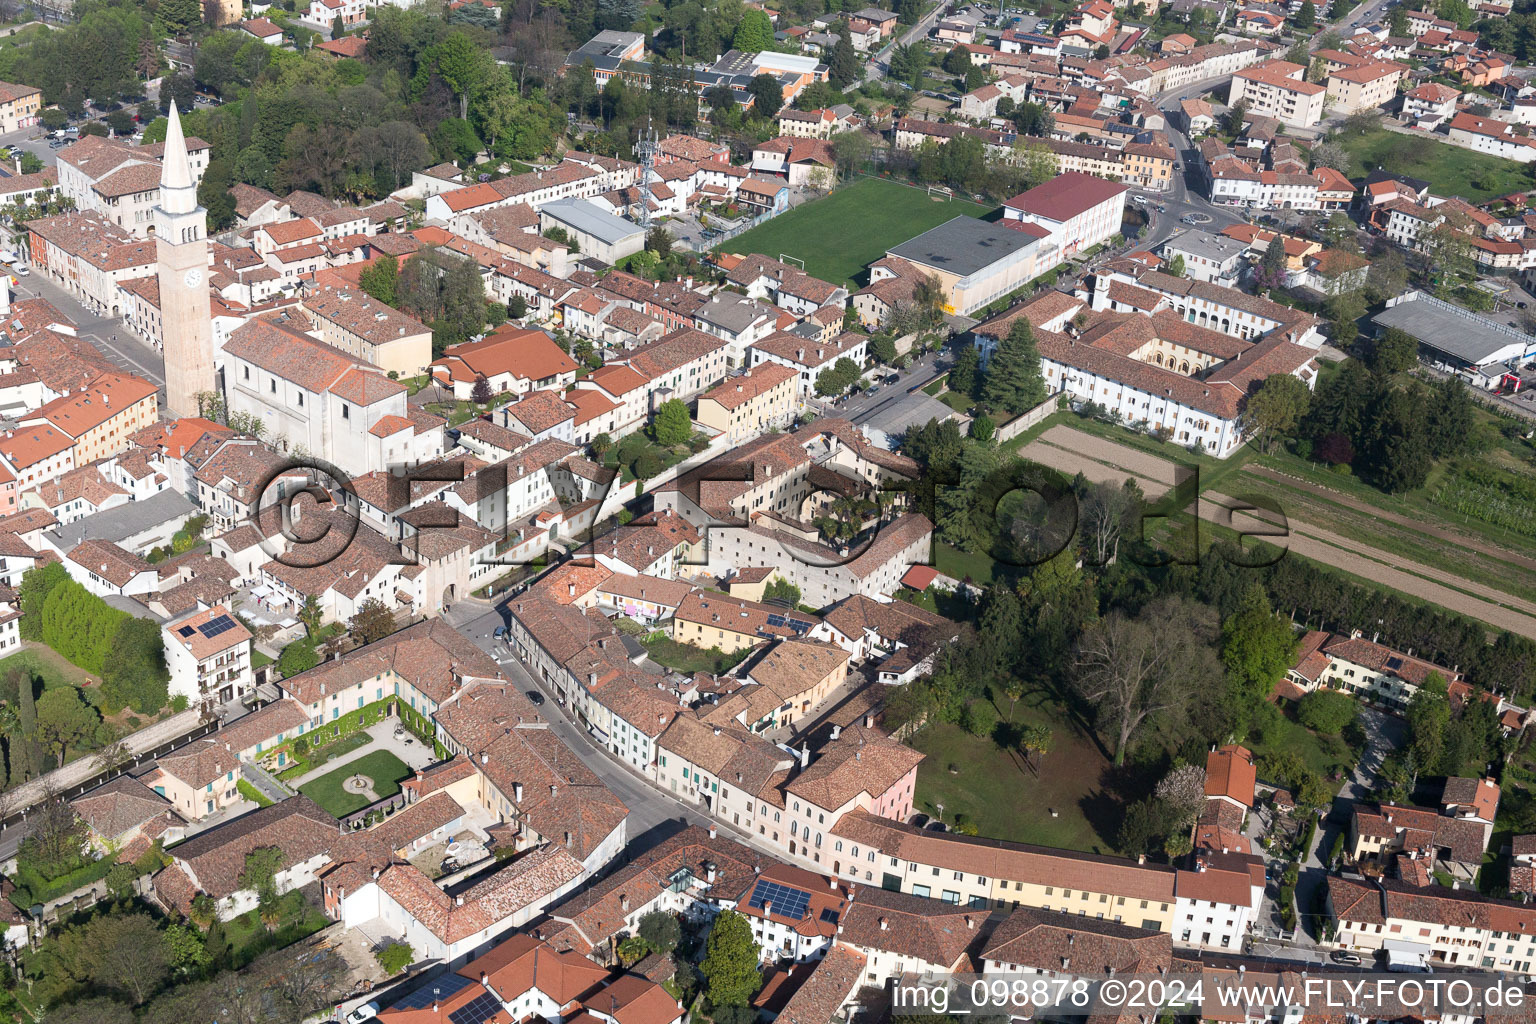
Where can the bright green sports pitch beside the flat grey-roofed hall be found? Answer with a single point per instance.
(846, 233)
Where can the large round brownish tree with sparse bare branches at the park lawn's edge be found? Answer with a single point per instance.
(1133, 670)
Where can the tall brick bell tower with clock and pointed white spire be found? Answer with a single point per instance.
(182, 268)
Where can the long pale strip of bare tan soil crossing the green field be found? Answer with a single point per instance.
(1071, 452)
